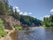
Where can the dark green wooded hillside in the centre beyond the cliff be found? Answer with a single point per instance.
(30, 20)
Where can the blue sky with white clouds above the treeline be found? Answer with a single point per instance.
(34, 8)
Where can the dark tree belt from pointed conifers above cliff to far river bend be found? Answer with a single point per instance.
(25, 20)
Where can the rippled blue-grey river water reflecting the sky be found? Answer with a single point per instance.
(35, 34)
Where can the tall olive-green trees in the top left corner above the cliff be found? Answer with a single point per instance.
(4, 7)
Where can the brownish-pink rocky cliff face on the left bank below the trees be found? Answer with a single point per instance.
(10, 21)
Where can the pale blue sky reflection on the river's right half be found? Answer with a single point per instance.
(39, 34)
